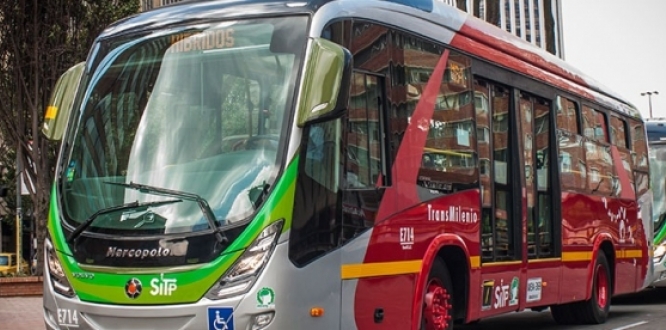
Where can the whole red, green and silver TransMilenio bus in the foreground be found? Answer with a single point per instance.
(394, 165)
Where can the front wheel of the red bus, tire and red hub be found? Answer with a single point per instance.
(438, 299)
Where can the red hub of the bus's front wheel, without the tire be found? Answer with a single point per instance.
(437, 309)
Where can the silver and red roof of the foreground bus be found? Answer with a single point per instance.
(517, 51)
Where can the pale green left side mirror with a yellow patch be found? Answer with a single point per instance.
(61, 102)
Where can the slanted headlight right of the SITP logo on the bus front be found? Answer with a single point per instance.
(242, 275)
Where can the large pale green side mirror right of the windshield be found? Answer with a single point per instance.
(324, 91)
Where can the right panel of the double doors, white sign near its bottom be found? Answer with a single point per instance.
(542, 276)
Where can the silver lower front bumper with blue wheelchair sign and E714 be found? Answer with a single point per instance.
(295, 294)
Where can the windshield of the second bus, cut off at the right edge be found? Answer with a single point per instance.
(658, 175)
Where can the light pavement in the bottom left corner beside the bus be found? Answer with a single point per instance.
(21, 313)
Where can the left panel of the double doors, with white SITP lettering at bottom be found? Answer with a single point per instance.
(501, 249)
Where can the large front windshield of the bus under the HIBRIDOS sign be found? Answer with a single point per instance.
(197, 110)
